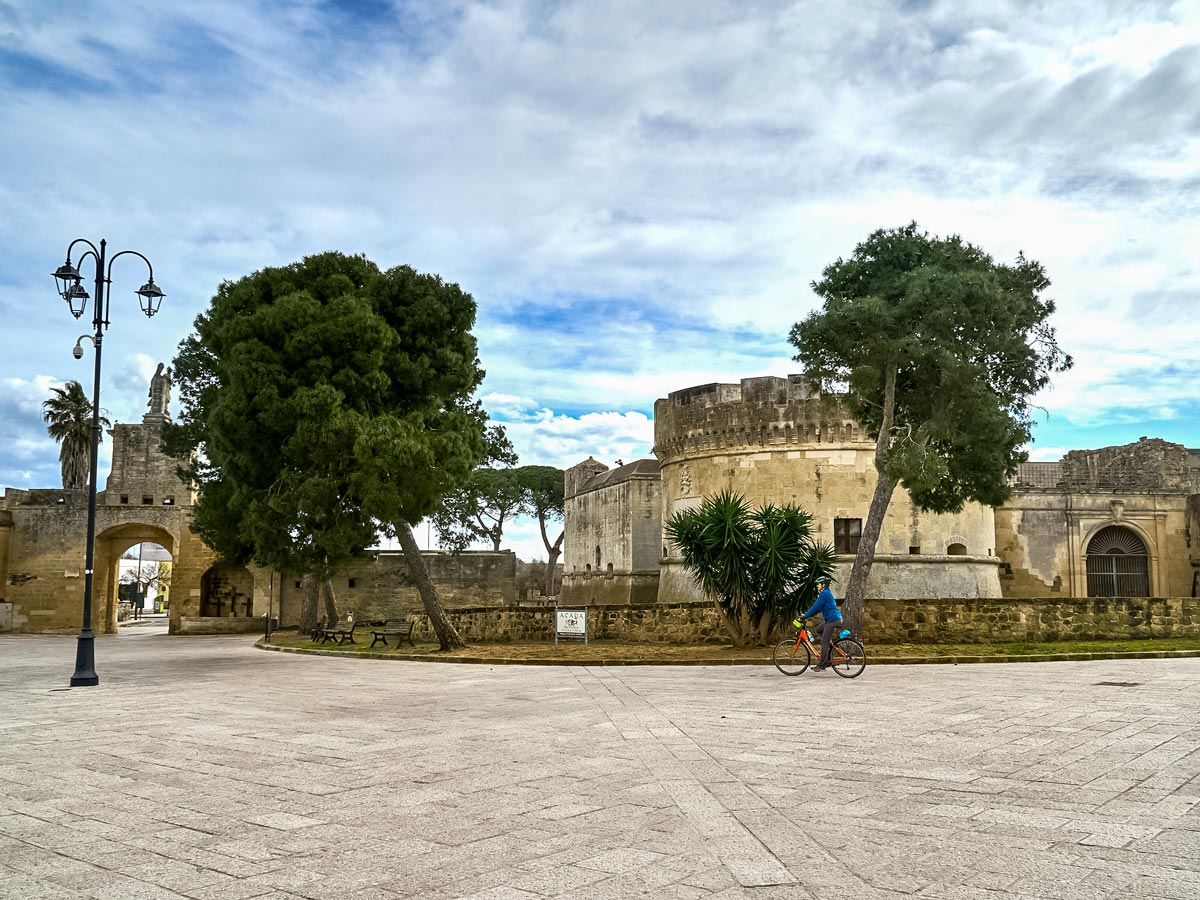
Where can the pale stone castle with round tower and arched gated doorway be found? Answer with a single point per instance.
(1121, 521)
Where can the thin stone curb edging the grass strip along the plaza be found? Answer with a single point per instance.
(872, 661)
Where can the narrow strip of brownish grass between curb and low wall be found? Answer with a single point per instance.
(668, 653)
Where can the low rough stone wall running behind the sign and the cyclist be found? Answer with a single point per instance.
(939, 621)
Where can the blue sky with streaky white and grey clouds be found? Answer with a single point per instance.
(639, 196)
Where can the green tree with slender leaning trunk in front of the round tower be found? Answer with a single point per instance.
(939, 352)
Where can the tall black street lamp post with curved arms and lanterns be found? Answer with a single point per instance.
(70, 284)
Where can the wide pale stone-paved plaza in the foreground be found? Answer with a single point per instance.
(209, 770)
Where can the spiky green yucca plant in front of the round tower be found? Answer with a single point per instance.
(759, 566)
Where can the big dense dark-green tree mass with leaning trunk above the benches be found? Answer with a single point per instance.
(322, 403)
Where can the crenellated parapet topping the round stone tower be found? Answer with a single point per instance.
(758, 413)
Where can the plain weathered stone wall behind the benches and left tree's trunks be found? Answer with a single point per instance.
(381, 587)
